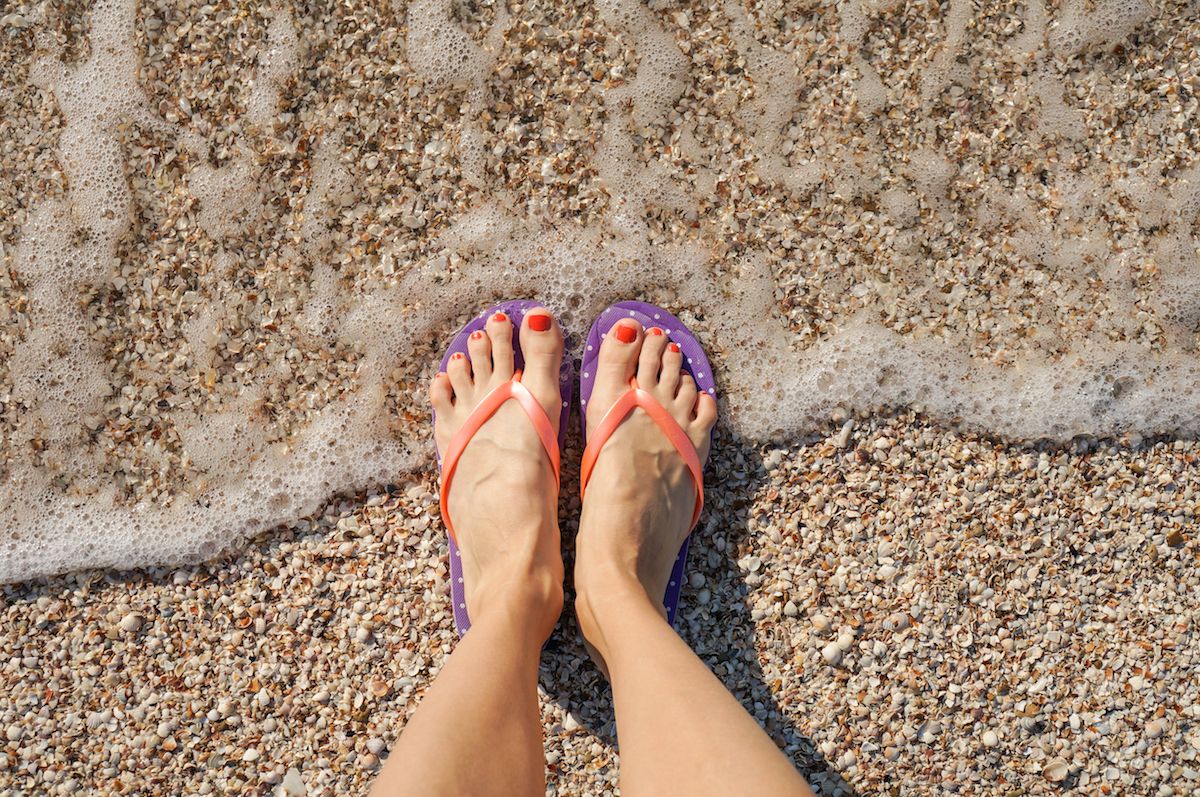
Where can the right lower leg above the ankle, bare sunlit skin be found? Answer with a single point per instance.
(681, 732)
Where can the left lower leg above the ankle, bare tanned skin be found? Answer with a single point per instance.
(478, 730)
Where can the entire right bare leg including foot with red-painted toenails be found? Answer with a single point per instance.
(681, 732)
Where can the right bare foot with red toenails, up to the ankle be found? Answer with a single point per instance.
(640, 501)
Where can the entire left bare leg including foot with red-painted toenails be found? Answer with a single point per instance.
(479, 732)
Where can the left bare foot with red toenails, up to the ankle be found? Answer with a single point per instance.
(503, 504)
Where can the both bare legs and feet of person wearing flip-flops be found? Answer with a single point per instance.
(479, 729)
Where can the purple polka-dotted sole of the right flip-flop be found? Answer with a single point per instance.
(695, 363)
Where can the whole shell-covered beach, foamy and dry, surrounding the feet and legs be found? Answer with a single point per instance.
(957, 554)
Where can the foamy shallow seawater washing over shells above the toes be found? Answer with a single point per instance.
(235, 238)
